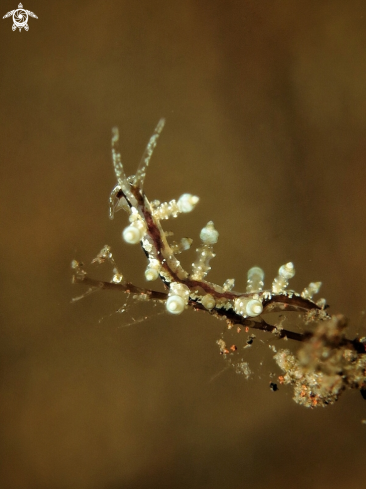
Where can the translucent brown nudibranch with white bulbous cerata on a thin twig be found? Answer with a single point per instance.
(192, 288)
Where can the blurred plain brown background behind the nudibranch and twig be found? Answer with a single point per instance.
(266, 121)
